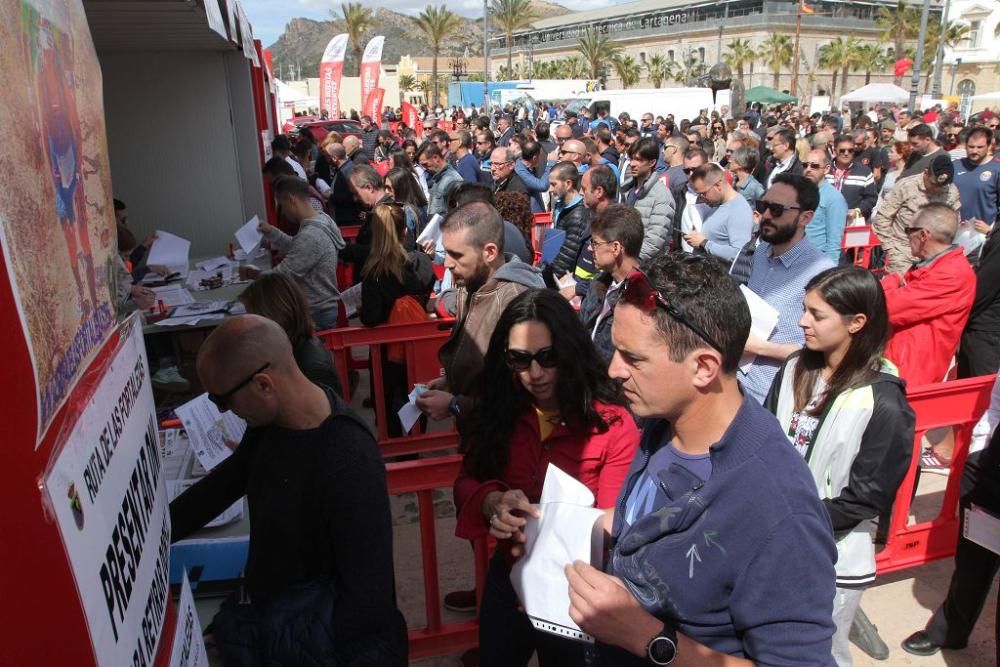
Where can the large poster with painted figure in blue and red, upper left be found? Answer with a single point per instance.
(57, 228)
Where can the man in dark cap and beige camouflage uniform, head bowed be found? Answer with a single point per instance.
(899, 209)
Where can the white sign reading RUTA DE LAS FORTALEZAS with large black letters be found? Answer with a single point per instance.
(105, 487)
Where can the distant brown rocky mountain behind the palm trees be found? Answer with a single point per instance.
(300, 47)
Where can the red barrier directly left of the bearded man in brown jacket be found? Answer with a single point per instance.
(421, 342)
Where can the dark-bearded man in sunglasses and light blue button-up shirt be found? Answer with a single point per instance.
(784, 261)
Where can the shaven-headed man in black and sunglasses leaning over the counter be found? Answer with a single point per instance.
(320, 563)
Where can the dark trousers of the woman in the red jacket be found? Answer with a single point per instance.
(506, 636)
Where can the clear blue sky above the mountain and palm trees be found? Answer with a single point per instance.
(269, 17)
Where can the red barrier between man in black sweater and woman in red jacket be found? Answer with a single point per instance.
(422, 477)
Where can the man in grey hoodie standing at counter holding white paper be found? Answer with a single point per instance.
(310, 255)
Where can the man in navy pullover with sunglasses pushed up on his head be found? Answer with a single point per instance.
(717, 514)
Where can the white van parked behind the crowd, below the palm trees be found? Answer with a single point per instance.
(681, 102)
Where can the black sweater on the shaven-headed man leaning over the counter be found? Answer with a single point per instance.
(319, 509)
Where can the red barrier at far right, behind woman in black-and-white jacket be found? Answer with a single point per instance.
(957, 404)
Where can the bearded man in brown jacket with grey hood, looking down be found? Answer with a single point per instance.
(487, 280)
